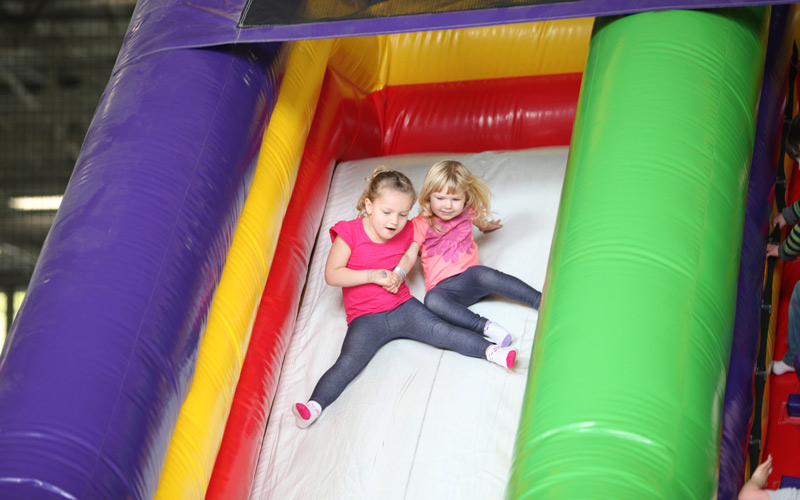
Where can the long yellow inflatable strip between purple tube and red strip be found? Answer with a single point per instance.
(201, 423)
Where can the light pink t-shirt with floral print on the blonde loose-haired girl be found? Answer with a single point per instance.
(447, 252)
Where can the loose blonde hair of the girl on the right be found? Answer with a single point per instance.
(450, 176)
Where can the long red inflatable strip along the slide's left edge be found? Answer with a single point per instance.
(277, 312)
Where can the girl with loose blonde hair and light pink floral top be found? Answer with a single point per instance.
(452, 200)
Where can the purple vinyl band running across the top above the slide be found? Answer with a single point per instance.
(160, 24)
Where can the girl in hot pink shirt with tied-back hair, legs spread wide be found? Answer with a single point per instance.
(378, 304)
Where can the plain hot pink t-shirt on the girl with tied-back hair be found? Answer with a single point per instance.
(370, 298)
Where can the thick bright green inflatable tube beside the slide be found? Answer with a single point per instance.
(627, 378)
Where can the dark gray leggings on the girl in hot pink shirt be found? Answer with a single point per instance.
(366, 334)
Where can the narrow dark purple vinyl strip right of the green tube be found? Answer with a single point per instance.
(738, 405)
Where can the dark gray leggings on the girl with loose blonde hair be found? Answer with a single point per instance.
(450, 298)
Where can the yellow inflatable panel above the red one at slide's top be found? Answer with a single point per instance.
(541, 48)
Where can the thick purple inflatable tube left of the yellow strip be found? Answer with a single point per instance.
(102, 352)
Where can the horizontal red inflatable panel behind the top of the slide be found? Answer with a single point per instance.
(478, 115)
